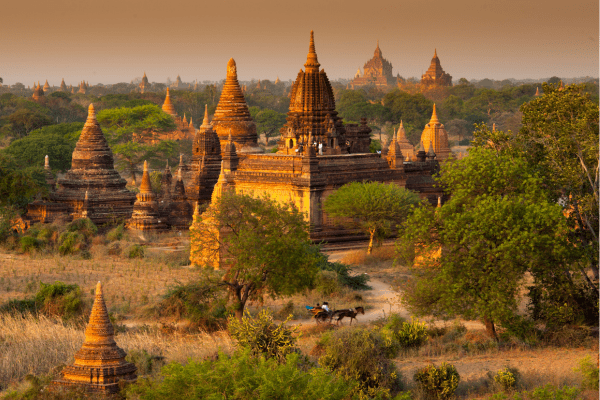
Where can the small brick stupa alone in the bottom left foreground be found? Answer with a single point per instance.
(100, 364)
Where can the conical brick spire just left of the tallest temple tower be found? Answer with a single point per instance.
(232, 115)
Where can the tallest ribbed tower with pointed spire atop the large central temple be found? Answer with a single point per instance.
(312, 118)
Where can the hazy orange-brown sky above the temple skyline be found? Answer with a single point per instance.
(113, 41)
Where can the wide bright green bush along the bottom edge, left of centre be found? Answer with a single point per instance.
(242, 377)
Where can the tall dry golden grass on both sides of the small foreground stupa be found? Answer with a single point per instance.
(31, 345)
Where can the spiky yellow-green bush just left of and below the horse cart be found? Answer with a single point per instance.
(262, 336)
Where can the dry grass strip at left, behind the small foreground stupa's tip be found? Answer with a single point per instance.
(129, 284)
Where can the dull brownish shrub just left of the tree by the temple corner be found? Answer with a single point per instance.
(202, 302)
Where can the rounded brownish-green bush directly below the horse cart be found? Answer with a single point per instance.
(360, 354)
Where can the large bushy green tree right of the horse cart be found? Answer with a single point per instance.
(473, 252)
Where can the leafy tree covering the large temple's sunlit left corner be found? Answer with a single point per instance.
(264, 247)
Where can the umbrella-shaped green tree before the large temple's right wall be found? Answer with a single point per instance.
(376, 208)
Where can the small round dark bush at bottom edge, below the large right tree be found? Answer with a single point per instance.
(438, 382)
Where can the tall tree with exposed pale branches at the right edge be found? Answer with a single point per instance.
(560, 135)
